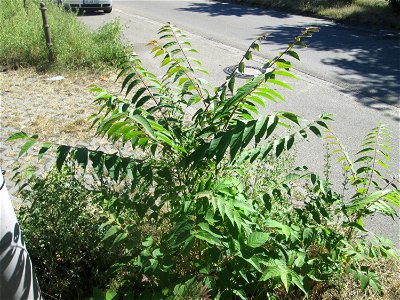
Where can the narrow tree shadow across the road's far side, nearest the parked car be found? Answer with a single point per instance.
(216, 9)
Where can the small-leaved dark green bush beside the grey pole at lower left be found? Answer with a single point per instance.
(62, 228)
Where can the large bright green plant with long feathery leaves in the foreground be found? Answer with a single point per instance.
(205, 211)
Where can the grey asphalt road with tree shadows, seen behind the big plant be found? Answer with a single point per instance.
(353, 73)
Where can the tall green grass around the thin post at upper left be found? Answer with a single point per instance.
(22, 41)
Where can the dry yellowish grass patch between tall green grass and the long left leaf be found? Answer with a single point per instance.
(55, 110)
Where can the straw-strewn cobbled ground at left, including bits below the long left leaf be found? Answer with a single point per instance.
(55, 110)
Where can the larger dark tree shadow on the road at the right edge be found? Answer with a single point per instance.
(367, 62)
